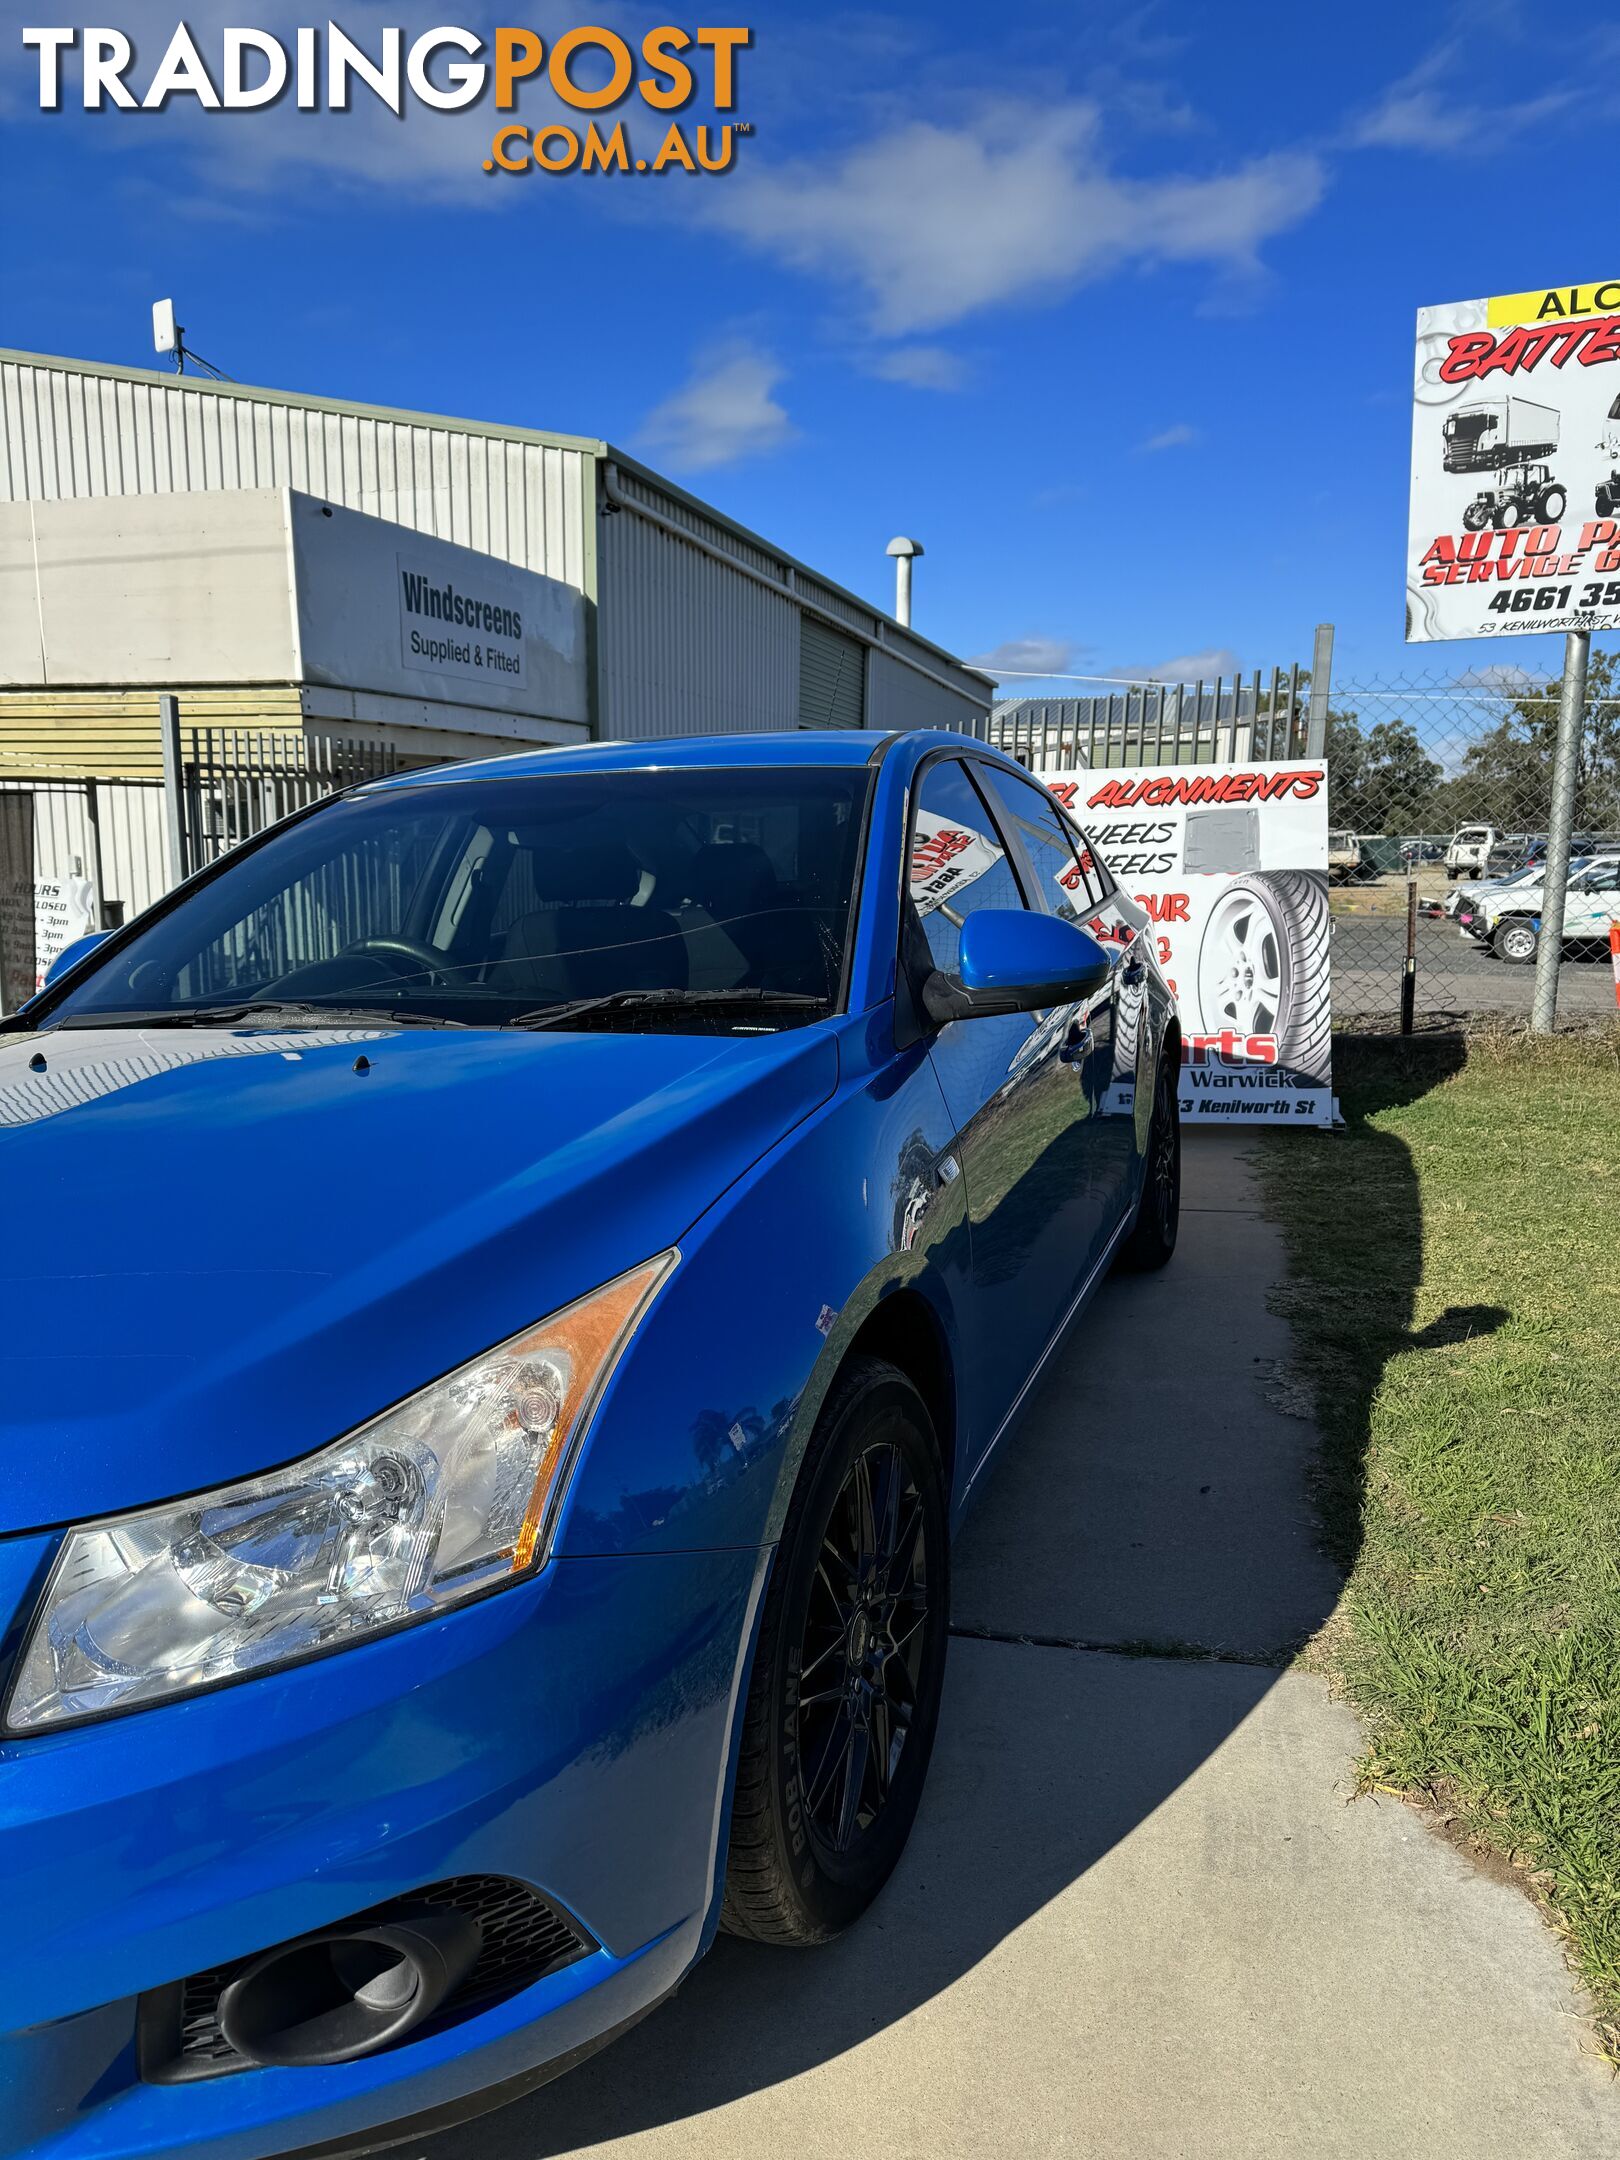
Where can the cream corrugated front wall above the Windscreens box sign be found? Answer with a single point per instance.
(68, 431)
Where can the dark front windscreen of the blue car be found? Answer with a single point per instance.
(712, 897)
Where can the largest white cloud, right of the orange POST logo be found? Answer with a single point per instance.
(939, 221)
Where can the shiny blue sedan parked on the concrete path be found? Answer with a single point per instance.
(511, 1282)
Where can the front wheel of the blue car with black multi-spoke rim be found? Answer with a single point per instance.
(848, 1671)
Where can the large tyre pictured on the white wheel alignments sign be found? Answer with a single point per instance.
(1265, 967)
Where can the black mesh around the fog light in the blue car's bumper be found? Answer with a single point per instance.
(524, 1941)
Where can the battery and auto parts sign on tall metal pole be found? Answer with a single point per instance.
(1515, 513)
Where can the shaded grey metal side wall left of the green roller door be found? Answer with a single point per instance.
(686, 643)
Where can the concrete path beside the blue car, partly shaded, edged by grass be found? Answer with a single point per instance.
(1142, 1917)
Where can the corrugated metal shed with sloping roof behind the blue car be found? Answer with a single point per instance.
(690, 621)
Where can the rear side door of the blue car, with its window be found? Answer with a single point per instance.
(1070, 885)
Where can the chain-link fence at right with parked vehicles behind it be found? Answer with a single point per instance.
(1437, 805)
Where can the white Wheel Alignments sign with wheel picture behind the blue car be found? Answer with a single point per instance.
(1232, 867)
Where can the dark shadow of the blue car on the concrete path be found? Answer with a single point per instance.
(1157, 1504)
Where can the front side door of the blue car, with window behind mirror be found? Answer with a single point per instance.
(1018, 1103)
